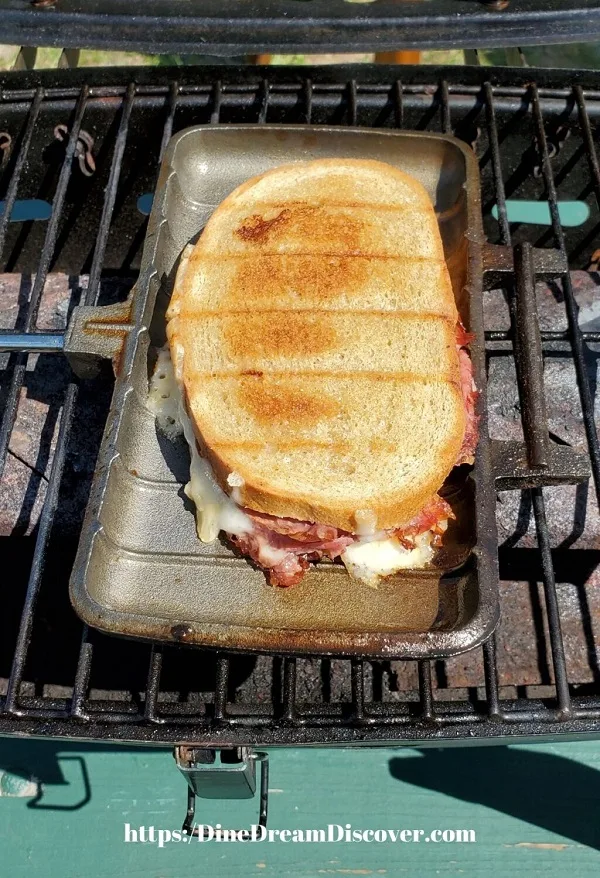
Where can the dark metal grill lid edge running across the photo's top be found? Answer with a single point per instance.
(288, 26)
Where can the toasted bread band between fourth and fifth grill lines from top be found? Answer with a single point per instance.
(324, 409)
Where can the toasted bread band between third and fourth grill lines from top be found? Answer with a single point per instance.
(304, 342)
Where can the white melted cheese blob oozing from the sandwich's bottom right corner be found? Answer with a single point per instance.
(371, 560)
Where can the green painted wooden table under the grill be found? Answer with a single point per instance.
(534, 809)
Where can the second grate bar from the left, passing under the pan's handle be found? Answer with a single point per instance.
(12, 401)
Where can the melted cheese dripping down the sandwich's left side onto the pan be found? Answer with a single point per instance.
(215, 511)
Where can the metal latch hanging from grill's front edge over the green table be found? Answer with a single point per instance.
(223, 773)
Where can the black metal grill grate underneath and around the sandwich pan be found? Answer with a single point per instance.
(62, 680)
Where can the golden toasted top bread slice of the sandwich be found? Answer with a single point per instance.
(313, 329)
